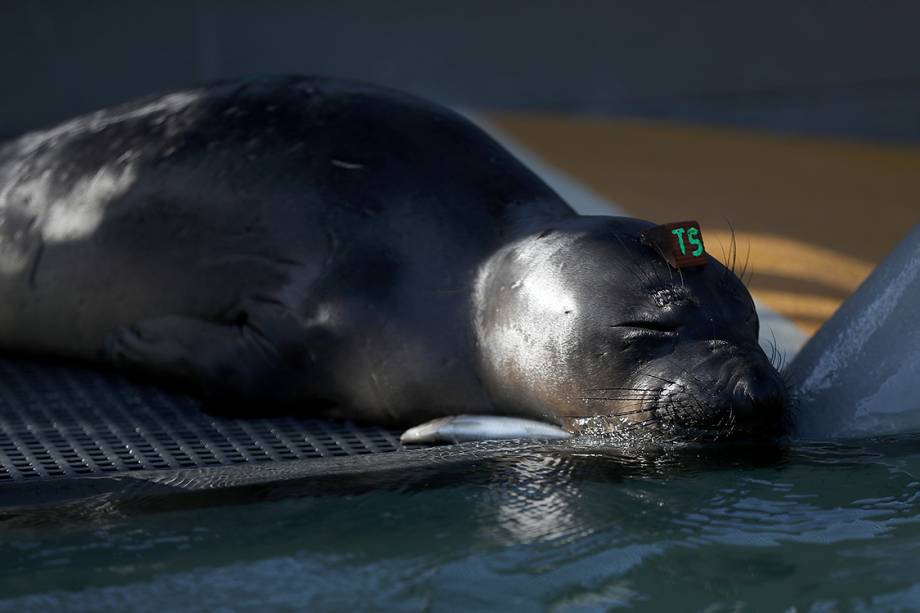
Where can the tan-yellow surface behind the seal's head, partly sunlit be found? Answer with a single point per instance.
(813, 216)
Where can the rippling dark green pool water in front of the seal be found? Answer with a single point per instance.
(812, 527)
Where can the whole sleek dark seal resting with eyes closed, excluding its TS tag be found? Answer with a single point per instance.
(346, 250)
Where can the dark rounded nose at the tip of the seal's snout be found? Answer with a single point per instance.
(759, 404)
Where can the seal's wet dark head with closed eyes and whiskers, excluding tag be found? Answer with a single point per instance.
(590, 325)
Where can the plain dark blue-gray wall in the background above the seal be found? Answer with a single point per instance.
(845, 67)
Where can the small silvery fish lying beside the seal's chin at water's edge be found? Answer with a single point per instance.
(465, 428)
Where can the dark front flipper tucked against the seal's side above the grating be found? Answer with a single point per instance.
(228, 364)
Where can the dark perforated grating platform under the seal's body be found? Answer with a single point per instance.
(59, 421)
